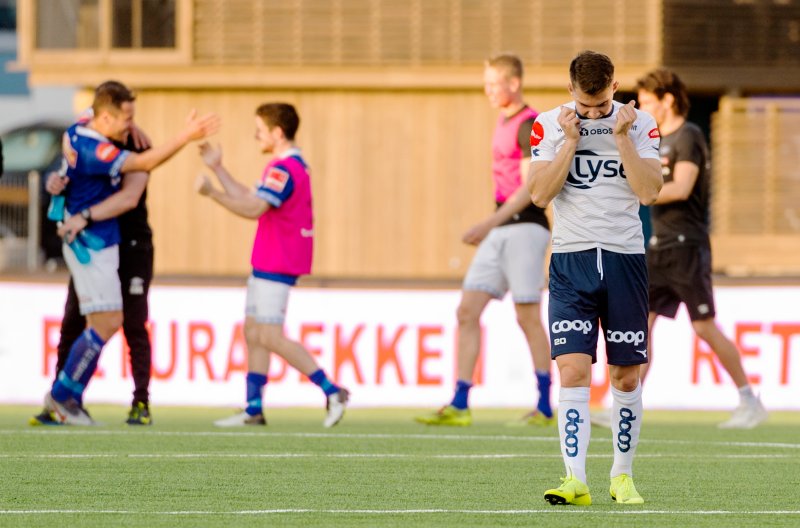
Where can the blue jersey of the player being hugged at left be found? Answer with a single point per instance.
(93, 167)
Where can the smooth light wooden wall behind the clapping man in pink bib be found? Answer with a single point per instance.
(397, 178)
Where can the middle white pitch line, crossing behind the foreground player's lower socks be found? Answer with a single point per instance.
(367, 456)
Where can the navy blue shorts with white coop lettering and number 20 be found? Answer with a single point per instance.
(597, 288)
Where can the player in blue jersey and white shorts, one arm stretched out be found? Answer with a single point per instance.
(94, 166)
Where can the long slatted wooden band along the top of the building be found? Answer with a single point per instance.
(422, 32)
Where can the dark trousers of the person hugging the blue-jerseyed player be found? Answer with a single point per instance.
(135, 274)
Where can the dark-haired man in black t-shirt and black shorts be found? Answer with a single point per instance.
(679, 256)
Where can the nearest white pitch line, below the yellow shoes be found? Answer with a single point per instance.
(552, 511)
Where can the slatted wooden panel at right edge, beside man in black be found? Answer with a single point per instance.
(756, 186)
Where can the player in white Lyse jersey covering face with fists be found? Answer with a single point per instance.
(596, 160)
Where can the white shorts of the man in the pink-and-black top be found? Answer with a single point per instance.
(511, 257)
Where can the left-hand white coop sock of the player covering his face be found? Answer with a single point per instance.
(574, 428)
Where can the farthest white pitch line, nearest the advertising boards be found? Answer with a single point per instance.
(68, 430)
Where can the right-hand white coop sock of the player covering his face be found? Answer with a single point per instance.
(626, 424)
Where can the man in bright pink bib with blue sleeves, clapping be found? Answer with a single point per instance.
(282, 252)
